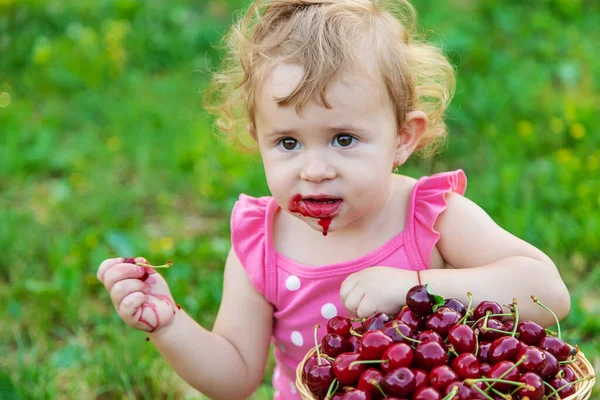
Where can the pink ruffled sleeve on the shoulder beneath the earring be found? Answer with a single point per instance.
(428, 201)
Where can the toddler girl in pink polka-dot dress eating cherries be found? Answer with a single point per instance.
(337, 95)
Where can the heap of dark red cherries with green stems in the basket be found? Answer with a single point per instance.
(436, 349)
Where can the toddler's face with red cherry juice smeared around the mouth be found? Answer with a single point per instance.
(344, 154)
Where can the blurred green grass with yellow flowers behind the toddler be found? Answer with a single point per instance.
(105, 150)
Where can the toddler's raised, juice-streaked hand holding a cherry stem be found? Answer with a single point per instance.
(140, 295)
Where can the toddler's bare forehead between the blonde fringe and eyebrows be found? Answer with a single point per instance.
(352, 96)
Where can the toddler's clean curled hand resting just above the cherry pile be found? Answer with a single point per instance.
(376, 289)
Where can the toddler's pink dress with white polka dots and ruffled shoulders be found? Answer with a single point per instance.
(304, 296)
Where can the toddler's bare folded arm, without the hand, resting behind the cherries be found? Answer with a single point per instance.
(493, 264)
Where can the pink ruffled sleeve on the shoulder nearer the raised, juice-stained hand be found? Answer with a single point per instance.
(248, 236)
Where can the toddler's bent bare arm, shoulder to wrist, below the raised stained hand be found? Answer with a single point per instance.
(229, 362)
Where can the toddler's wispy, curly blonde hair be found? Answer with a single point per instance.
(323, 37)
